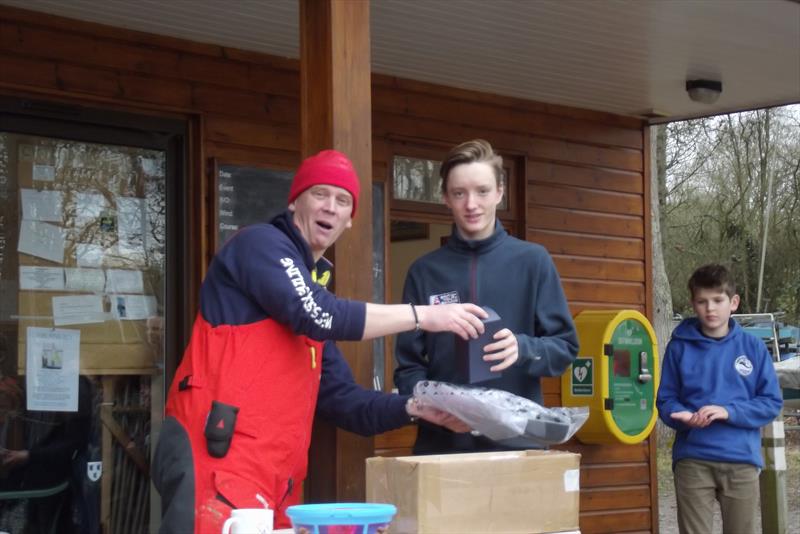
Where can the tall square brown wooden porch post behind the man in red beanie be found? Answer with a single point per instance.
(336, 113)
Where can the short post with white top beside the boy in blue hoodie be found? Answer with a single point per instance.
(774, 509)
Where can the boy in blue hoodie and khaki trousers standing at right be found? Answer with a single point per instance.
(718, 388)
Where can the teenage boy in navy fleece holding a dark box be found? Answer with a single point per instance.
(481, 263)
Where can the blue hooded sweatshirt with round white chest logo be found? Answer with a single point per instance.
(735, 372)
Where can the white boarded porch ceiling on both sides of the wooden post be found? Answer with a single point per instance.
(621, 56)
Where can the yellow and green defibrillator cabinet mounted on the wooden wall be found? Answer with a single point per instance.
(615, 375)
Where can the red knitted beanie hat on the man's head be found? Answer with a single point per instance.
(329, 167)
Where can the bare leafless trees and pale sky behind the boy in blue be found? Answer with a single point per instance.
(720, 173)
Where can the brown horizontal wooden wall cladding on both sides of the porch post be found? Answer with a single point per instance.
(583, 174)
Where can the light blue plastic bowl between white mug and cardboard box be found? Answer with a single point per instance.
(341, 518)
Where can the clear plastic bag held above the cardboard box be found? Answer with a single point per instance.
(502, 416)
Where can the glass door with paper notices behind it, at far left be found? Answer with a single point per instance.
(84, 272)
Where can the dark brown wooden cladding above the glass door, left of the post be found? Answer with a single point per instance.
(248, 103)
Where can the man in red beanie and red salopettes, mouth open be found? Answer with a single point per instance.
(261, 361)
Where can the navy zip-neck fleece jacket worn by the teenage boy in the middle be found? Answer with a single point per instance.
(519, 281)
